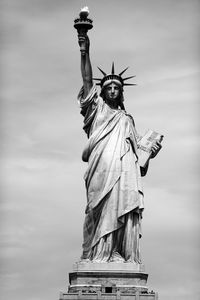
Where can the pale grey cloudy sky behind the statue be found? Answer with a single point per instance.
(41, 172)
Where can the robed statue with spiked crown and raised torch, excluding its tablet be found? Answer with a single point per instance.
(112, 227)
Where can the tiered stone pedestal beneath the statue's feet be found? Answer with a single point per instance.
(113, 280)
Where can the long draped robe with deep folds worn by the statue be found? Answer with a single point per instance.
(112, 179)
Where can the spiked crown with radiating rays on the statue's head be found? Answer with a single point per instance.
(109, 78)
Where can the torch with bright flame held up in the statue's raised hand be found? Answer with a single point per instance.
(82, 25)
